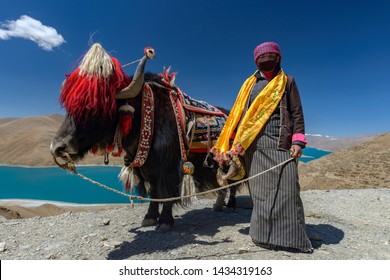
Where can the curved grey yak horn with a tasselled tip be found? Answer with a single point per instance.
(136, 84)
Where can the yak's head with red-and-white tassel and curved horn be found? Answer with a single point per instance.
(90, 96)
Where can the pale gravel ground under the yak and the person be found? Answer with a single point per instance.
(342, 224)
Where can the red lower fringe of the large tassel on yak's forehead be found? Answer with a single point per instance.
(86, 96)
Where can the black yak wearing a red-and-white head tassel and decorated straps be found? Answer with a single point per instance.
(93, 98)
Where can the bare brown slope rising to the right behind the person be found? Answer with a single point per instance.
(361, 166)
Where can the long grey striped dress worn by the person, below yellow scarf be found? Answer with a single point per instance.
(277, 217)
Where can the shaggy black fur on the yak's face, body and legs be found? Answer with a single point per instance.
(163, 168)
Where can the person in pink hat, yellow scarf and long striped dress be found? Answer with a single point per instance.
(266, 128)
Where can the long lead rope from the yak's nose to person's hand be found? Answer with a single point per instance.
(132, 197)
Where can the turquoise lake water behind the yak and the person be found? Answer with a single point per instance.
(55, 184)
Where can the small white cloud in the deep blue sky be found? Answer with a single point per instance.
(31, 29)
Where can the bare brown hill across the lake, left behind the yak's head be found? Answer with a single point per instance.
(26, 141)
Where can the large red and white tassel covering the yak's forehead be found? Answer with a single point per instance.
(89, 92)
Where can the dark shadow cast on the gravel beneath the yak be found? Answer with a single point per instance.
(196, 228)
